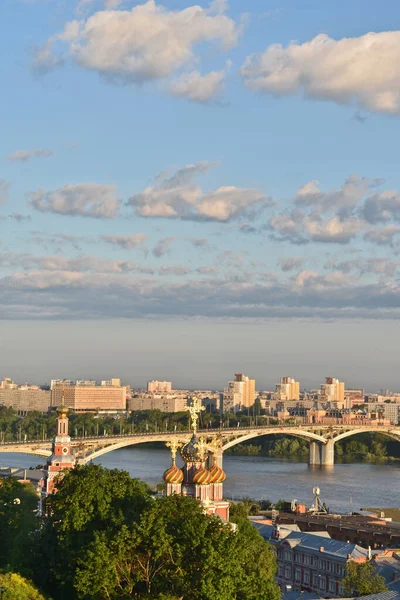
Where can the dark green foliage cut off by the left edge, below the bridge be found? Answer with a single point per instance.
(18, 520)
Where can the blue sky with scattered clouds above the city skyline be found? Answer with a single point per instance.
(193, 190)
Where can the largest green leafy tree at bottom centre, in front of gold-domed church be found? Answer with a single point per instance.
(176, 549)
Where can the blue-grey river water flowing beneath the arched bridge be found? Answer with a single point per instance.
(343, 486)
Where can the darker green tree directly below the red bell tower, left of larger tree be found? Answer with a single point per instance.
(90, 501)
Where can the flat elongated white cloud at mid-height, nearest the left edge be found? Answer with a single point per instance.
(85, 199)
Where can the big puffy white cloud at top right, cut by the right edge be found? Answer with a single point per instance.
(362, 70)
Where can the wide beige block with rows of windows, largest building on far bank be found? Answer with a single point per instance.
(89, 397)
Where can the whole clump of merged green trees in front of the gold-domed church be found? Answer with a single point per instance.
(106, 538)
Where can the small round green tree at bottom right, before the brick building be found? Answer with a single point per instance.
(362, 580)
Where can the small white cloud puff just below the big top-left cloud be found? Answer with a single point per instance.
(198, 88)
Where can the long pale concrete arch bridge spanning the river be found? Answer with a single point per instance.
(321, 438)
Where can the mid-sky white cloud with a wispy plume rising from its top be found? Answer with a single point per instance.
(180, 198)
